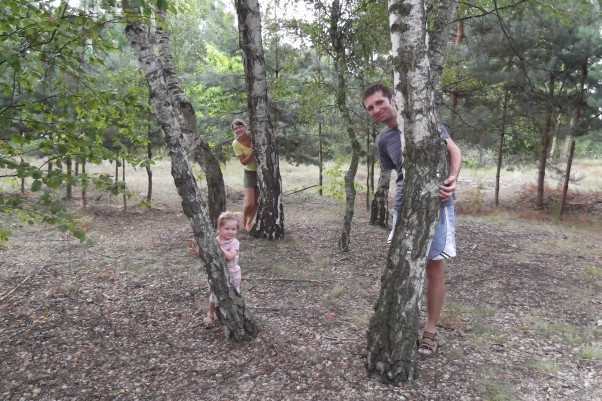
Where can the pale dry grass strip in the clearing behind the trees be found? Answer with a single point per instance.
(475, 189)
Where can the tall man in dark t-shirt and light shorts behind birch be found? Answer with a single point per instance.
(378, 100)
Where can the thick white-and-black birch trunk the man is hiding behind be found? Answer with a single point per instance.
(393, 329)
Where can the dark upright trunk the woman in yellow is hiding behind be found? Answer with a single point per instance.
(269, 221)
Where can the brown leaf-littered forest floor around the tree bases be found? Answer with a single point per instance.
(122, 319)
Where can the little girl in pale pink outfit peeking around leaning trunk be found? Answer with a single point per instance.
(227, 227)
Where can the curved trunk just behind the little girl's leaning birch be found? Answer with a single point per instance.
(216, 190)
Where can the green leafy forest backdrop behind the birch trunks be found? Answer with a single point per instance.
(521, 87)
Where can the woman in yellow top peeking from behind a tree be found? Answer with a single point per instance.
(243, 149)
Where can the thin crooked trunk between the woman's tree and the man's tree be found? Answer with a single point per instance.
(337, 36)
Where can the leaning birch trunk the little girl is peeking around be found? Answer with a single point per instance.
(237, 321)
